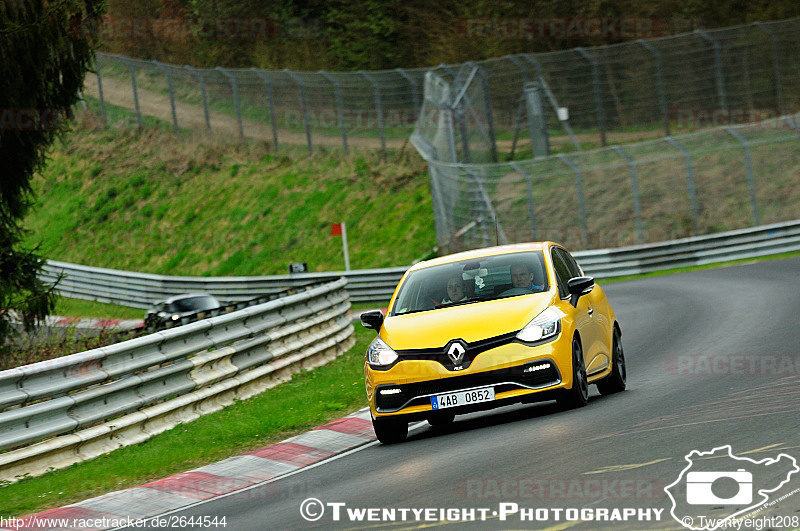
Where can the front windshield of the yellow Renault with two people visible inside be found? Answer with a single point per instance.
(468, 281)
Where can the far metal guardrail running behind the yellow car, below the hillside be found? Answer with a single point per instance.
(376, 285)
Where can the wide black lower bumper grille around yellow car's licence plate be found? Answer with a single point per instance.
(514, 375)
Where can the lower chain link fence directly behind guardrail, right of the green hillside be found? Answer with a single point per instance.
(650, 191)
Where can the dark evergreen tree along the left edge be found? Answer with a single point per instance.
(45, 50)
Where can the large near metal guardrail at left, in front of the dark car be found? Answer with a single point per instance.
(89, 403)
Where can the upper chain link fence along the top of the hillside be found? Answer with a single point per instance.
(608, 94)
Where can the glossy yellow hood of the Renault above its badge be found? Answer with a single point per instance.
(470, 322)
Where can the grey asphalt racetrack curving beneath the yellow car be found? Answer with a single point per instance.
(713, 360)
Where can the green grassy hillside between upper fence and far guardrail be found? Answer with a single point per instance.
(145, 201)
